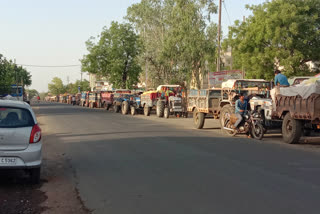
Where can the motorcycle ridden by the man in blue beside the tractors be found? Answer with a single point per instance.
(251, 124)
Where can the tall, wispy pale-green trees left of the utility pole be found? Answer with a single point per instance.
(178, 38)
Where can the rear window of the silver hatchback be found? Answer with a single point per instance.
(11, 117)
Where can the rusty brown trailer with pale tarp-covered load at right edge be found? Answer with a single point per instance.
(295, 108)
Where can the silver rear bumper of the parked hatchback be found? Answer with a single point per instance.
(28, 158)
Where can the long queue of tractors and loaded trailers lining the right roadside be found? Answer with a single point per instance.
(293, 116)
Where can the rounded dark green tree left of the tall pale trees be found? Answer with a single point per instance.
(114, 55)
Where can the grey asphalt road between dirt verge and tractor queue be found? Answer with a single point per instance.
(145, 165)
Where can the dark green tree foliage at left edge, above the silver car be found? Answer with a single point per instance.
(10, 74)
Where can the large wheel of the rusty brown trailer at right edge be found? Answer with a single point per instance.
(291, 129)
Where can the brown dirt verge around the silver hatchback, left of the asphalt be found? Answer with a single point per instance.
(57, 191)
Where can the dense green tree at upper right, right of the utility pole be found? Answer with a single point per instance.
(283, 32)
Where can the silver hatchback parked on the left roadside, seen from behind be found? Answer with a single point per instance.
(20, 138)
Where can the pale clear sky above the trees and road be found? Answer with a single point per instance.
(53, 32)
